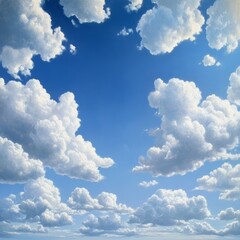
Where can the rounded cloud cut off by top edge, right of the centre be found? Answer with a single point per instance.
(169, 23)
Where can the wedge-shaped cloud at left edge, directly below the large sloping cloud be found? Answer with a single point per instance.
(15, 164)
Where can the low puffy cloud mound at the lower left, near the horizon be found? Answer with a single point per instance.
(40, 203)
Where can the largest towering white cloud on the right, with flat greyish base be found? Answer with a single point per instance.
(210, 127)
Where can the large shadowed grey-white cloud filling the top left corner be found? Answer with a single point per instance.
(27, 31)
